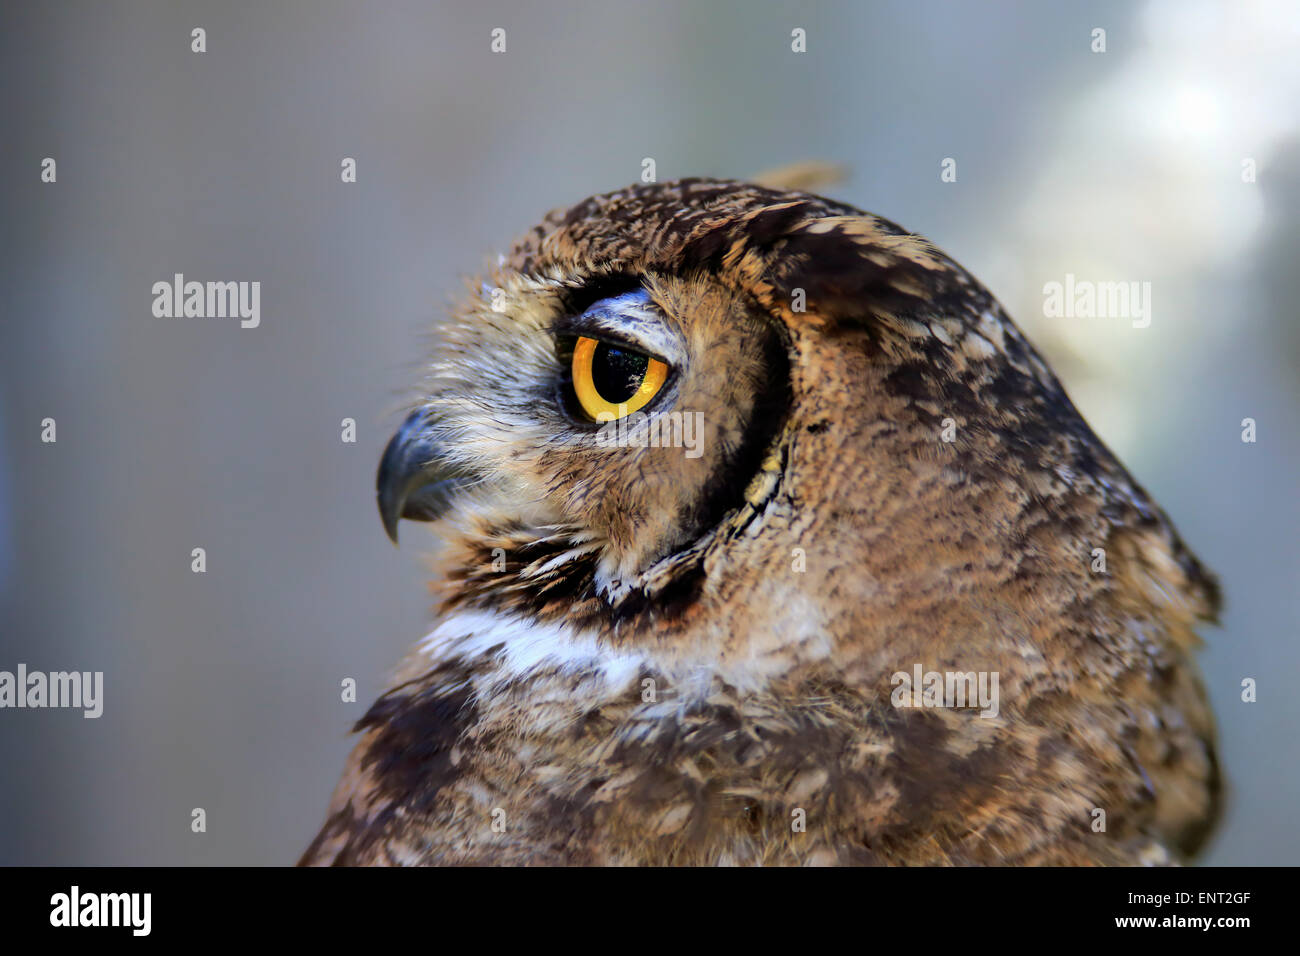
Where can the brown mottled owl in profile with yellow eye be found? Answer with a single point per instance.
(765, 538)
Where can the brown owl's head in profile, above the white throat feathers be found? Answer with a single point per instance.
(696, 386)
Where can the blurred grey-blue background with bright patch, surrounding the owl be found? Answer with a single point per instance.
(223, 689)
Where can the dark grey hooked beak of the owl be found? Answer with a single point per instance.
(414, 482)
